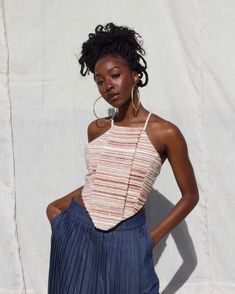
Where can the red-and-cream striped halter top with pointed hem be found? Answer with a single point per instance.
(122, 167)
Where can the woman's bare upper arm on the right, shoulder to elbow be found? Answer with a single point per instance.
(177, 154)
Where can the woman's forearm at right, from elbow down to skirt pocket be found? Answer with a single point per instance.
(174, 217)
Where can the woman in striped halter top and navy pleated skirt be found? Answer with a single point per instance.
(100, 243)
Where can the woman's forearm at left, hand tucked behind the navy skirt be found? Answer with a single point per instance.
(61, 204)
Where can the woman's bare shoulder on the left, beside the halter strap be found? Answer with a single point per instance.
(97, 127)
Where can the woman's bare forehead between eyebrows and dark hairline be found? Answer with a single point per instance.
(108, 62)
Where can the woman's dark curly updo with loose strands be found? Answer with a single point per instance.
(116, 41)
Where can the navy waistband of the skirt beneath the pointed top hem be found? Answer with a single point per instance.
(82, 214)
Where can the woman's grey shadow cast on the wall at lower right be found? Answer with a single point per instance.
(157, 206)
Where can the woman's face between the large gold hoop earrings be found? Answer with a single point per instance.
(114, 80)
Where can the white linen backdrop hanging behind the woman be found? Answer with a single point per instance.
(46, 105)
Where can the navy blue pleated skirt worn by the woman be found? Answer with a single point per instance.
(87, 260)
